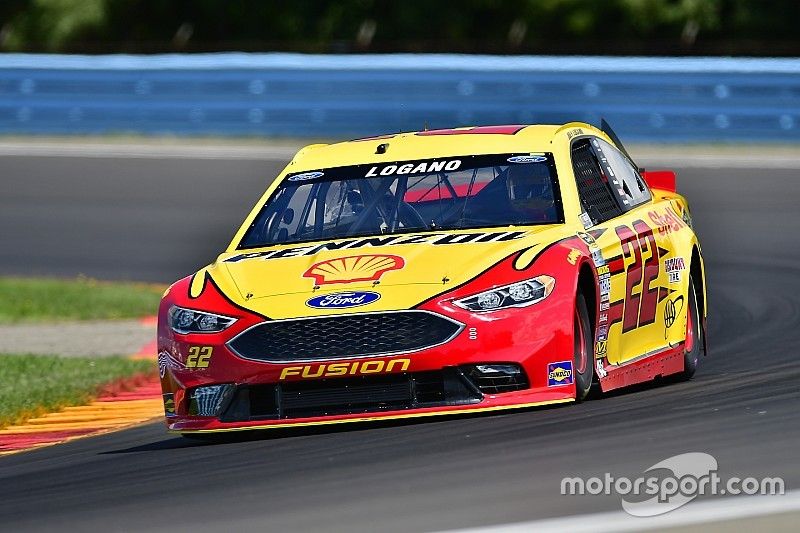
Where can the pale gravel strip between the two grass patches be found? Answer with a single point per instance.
(73, 339)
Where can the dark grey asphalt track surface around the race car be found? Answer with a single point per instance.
(158, 219)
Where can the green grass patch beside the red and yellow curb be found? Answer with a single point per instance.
(31, 385)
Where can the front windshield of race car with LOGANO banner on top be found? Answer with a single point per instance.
(409, 196)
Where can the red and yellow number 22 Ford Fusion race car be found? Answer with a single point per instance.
(438, 272)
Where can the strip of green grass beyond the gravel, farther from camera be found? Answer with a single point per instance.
(38, 300)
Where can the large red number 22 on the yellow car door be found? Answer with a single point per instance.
(640, 308)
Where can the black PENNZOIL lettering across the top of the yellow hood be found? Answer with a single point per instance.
(433, 239)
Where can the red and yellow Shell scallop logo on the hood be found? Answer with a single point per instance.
(353, 268)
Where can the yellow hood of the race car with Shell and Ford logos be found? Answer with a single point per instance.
(404, 270)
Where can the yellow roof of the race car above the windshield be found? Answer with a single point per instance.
(515, 138)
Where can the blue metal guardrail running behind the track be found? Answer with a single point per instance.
(295, 95)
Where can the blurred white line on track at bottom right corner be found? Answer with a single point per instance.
(697, 513)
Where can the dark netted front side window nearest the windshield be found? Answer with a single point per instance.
(597, 198)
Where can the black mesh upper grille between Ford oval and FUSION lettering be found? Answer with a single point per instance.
(344, 336)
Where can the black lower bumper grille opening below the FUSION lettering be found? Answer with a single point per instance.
(338, 396)
